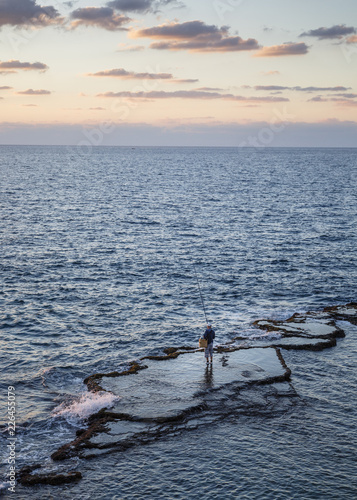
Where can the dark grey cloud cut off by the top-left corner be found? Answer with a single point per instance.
(27, 13)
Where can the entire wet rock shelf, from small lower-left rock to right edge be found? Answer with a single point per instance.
(176, 392)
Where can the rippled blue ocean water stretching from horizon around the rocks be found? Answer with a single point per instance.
(98, 253)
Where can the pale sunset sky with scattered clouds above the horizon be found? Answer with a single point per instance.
(245, 73)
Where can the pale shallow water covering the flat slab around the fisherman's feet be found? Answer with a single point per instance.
(166, 388)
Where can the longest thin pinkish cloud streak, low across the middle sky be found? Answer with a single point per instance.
(190, 94)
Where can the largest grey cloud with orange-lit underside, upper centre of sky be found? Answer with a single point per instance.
(195, 36)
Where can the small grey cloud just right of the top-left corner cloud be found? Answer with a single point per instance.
(99, 17)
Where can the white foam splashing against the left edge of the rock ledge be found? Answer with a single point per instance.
(84, 405)
